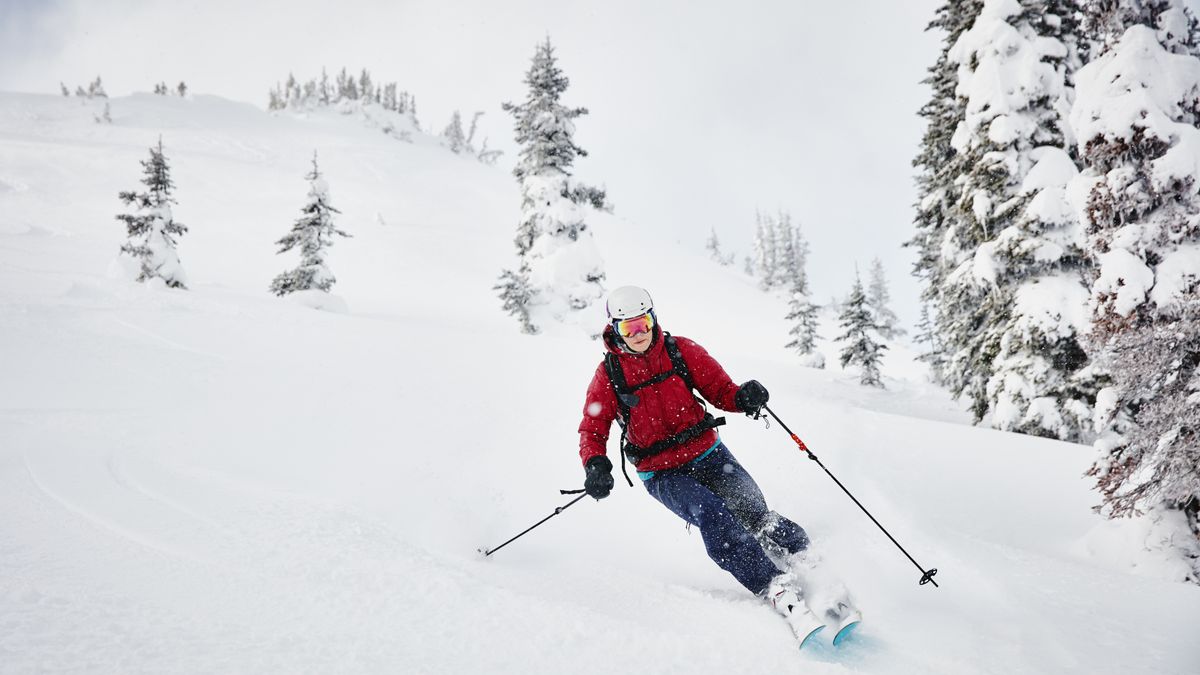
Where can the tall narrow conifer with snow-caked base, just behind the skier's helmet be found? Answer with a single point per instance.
(559, 260)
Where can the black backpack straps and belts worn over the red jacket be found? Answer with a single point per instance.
(627, 398)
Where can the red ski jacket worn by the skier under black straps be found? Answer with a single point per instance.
(664, 410)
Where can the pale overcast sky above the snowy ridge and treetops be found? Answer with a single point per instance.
(701, 112)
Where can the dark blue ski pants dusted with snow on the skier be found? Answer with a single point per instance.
(716, 494)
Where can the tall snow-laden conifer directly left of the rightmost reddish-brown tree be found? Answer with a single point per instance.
(1030, 265)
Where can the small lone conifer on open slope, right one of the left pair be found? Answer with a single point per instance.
(314, 232)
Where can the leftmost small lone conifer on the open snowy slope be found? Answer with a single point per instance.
(154, 231)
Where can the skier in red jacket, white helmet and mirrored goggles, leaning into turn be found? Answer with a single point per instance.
(646, 385)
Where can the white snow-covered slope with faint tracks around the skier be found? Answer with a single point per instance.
(219, 481)
